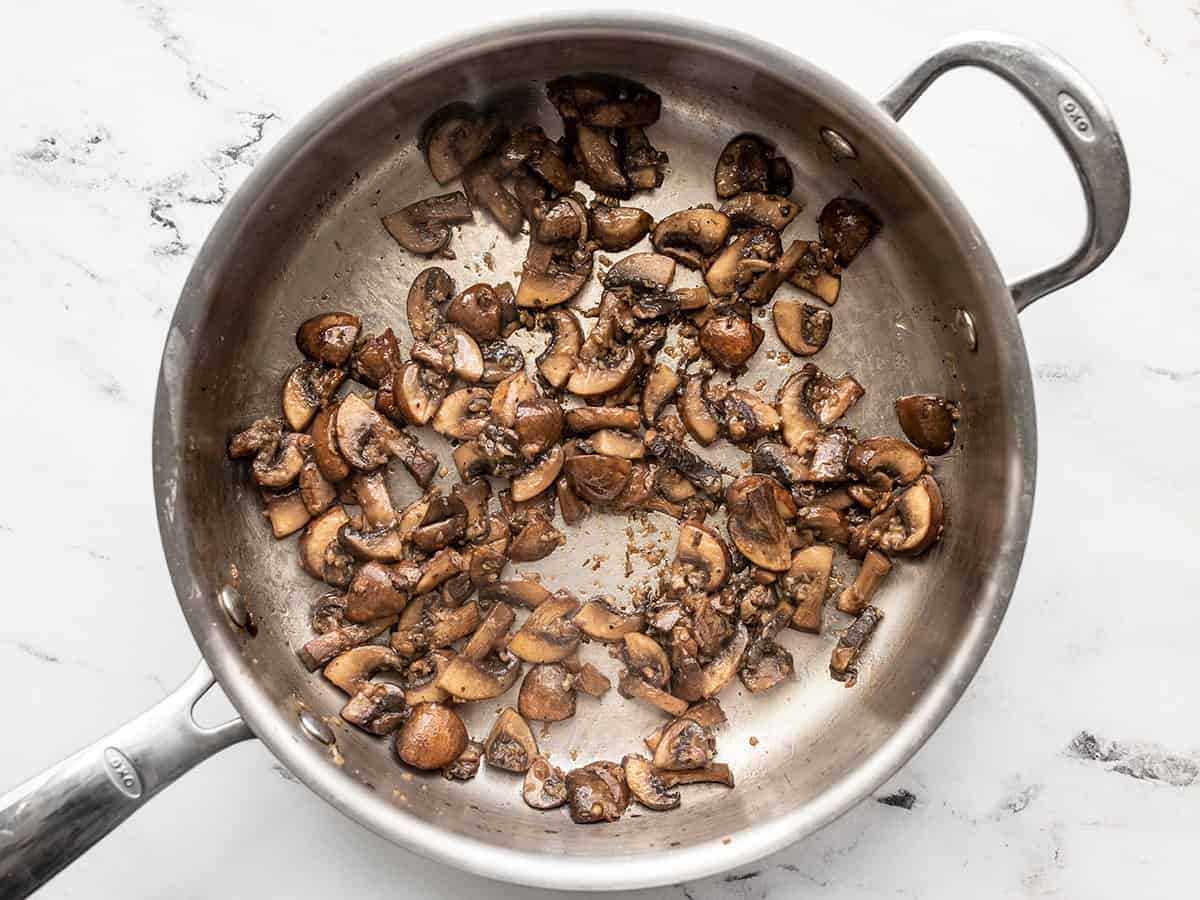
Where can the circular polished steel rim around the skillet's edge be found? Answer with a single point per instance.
(665, 867)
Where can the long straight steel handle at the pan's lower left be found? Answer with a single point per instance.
(51, 820)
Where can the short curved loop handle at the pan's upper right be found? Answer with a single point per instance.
(1078, 118)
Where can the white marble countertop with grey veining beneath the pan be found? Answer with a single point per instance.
(127, 125)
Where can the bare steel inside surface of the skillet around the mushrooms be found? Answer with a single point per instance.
(311, 241)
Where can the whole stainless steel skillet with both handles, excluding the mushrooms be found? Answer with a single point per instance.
(925, 310)
